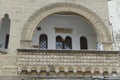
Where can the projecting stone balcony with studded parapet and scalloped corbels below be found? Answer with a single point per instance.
(87, 62)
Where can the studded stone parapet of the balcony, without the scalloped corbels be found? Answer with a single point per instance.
(66, 58)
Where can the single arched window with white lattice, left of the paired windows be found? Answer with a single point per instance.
(43, 40)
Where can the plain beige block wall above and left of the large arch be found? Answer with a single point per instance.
(20, 11)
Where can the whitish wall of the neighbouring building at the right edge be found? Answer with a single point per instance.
(114, 16)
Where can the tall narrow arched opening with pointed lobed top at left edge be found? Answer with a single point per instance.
(5, 31)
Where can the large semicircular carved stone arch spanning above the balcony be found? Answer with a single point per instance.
(91, 17)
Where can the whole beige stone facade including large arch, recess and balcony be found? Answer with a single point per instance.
(58, 38)
